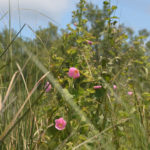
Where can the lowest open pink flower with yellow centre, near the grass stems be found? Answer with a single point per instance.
(60, 124)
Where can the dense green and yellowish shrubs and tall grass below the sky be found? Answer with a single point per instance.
(113, 115)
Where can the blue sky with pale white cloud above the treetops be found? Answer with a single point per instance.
(133, 13)
